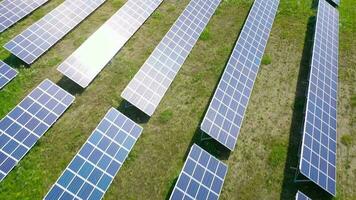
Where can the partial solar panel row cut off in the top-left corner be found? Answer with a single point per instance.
(11, 11)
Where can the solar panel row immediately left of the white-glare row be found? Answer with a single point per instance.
(39, 37)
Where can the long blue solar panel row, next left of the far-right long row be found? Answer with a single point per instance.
(227, 108)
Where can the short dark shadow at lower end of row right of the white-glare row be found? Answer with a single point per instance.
(133, 113)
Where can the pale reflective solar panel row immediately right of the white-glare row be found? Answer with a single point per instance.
(149, 85)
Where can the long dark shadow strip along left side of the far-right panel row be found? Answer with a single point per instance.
(289, 186)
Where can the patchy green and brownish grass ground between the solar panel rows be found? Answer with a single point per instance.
(260, 167)
